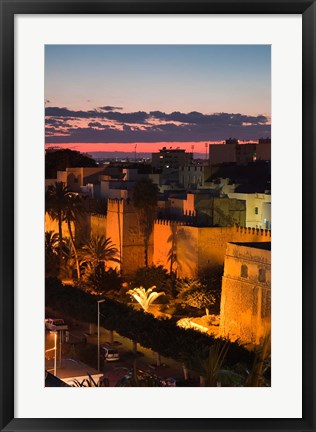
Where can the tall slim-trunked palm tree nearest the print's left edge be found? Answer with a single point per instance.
(56, 200)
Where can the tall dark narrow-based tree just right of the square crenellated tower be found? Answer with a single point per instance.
(145, 197)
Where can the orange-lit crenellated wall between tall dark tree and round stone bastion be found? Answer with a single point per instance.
(198, 248)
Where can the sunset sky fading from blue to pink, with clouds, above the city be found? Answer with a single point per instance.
(111, 97)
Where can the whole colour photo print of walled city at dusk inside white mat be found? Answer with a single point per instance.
(157, 216)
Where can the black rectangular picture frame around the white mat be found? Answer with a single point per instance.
(8, 10)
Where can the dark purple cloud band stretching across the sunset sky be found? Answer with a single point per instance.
(155, 126)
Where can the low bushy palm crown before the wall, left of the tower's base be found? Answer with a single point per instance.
(97, 252)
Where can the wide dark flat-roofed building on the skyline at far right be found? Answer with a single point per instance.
(242, 154)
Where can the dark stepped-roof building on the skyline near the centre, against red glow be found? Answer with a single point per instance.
(169, 158)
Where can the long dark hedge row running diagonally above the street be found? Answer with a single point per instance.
(161, 335)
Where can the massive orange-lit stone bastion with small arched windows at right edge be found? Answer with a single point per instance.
(246, 292)
